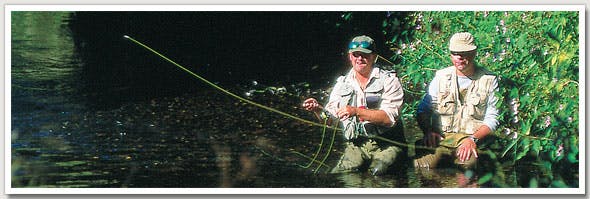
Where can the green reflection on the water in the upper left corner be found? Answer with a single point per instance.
(43, 53)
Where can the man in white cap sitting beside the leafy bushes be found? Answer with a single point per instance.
(459, 108)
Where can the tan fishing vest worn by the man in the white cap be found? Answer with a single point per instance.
(462, 115)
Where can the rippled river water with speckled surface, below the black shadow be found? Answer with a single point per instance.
(72, 128)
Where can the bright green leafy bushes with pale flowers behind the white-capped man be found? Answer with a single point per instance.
(535, 54)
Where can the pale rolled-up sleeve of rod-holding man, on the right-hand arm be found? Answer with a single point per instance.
(392, 98)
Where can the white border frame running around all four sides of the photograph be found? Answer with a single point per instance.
(7, 114)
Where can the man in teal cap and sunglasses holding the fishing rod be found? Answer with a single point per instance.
(367, 101)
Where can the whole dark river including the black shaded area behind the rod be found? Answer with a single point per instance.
(90, 109)
